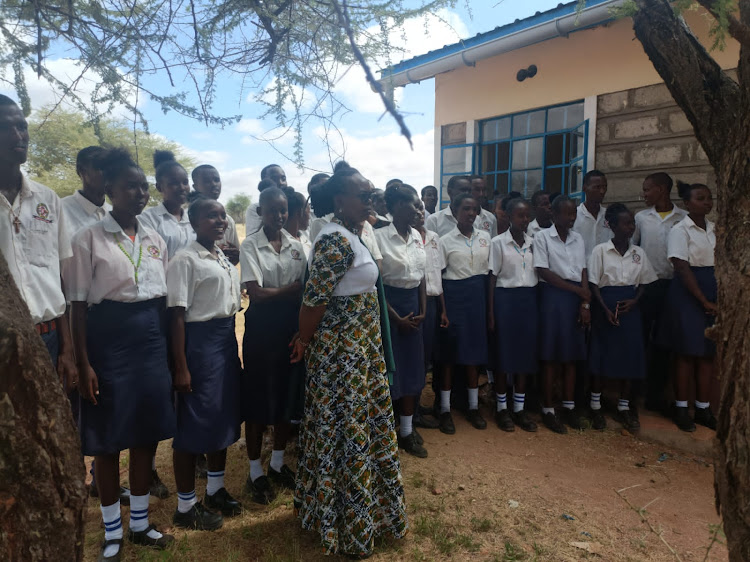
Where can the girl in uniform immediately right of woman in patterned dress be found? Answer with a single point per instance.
(403, 271)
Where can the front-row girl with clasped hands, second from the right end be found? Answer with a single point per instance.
(618, 274)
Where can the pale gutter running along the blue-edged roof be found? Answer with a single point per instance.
(558, 27)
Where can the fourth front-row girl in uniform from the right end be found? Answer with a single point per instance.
(513, 315)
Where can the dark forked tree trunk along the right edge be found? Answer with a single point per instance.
(719, 110)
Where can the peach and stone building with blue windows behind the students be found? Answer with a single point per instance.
(536, 103)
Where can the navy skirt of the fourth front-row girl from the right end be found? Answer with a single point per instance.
(517, 330)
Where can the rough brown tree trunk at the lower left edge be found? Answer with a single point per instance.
(42, 492)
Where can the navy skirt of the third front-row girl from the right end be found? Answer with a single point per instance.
(561, 338)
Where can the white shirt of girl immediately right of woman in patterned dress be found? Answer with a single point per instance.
(404, 261)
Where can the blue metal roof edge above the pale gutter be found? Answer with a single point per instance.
(519, 25)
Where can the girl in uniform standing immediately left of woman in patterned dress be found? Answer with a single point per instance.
(273, 268)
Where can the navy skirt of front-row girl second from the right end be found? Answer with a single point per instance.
(617, 352)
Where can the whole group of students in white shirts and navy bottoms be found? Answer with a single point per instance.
(153, 293)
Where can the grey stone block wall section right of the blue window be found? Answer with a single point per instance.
(641, 131)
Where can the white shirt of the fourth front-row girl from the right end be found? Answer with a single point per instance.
(513, 265)
